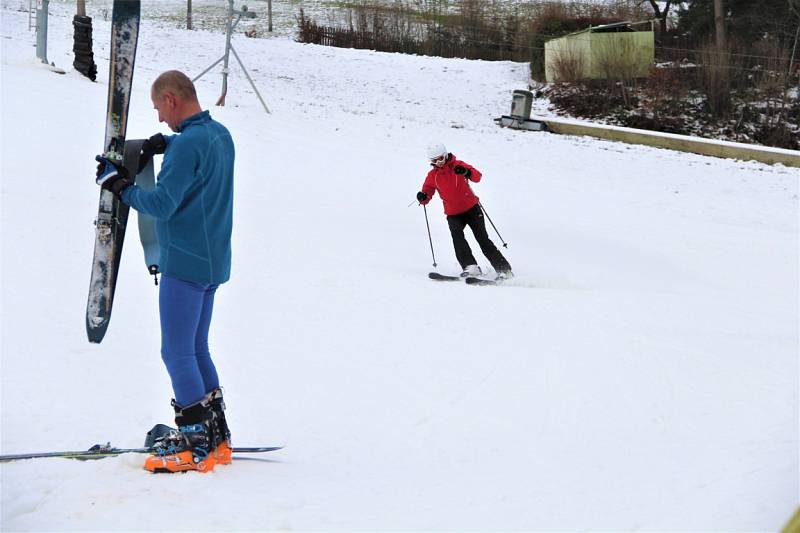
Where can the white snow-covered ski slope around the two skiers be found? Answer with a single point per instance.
(640, 373)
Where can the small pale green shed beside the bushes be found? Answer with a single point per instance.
(600, 52)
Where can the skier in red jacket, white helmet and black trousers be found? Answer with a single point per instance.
(451, 177)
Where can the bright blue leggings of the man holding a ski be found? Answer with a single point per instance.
(185, 317)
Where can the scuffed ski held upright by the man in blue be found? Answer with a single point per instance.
(112, 215)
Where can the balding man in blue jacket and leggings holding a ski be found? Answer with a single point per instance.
(193, 207)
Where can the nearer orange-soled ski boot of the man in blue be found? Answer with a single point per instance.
(189, 447)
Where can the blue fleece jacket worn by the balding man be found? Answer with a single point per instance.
(193, 202)
